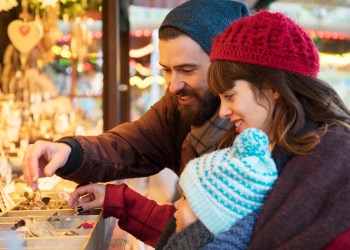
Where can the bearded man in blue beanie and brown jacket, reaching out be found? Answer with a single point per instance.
(157, 140)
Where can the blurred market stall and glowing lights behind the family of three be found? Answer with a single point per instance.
(70, 67)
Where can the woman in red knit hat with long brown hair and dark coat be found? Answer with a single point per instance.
(270, 59)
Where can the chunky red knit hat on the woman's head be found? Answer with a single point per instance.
(268, 39)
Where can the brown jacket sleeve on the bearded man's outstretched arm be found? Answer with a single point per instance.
(138, 149)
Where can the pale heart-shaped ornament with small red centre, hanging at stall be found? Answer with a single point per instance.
(24, 35)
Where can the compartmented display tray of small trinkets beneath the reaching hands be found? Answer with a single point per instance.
(58, 228)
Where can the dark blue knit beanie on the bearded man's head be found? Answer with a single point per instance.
(202, 20)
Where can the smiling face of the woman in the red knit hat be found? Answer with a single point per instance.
(240, 105)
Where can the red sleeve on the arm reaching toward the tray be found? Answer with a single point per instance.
(139, 216)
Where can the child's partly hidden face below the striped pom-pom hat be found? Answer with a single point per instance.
(184, 215)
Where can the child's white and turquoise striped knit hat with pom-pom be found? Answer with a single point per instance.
(224, 186)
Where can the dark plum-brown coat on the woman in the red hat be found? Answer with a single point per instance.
(309, 204)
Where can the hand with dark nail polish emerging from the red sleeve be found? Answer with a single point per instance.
(87, 197)
